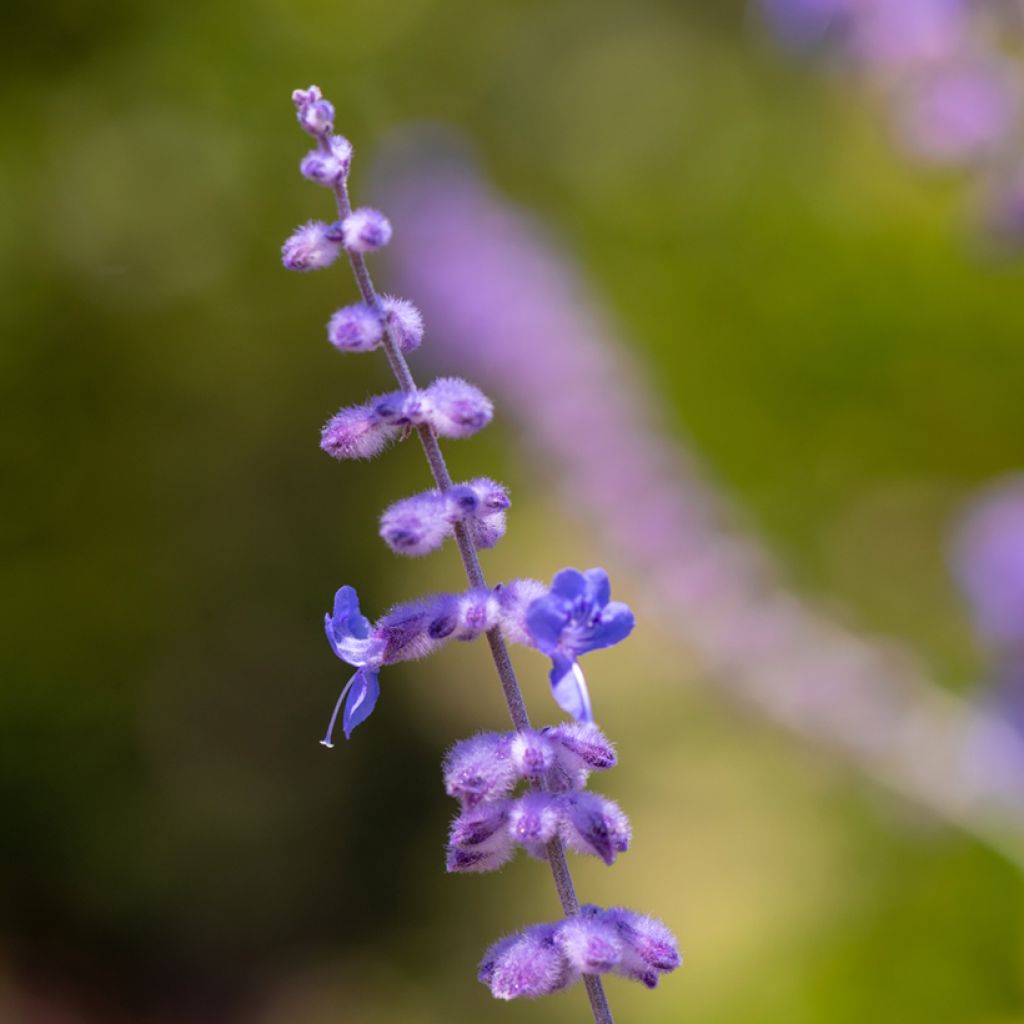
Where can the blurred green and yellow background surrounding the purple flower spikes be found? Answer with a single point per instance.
(822, 327)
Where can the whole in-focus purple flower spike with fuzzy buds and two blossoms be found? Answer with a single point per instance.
(572, 618)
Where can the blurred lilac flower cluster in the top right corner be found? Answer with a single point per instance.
(947, 75)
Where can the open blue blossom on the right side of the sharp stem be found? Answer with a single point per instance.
(577, 616)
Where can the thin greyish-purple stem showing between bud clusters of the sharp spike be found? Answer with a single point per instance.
(472, 562)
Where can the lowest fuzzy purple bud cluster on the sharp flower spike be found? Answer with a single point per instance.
(546, 959)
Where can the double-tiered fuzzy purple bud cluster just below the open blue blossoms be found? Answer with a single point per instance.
(483, 772)
